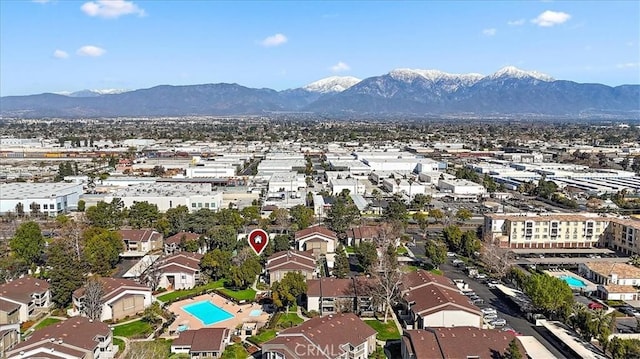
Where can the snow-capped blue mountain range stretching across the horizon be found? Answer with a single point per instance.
(401, 92)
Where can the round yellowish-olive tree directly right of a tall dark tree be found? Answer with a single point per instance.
(102, 249)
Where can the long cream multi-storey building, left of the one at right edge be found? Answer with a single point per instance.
(545, 230)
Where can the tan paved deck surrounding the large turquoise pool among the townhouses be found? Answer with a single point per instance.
(241, 313)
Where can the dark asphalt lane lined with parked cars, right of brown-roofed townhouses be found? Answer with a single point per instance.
(512, 316)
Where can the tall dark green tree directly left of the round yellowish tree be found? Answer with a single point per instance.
(66, 271)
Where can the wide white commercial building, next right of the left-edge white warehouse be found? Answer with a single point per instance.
(166, 195)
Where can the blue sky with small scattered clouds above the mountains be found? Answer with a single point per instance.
(64, 45)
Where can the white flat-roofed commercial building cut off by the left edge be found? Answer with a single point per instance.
(49, 198)
